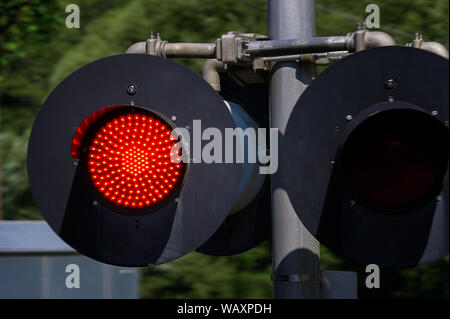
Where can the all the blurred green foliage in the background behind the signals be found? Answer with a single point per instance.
(37, 51)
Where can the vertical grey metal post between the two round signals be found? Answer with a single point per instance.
(296, 270)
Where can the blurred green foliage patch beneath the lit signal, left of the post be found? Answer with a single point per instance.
(200, 276)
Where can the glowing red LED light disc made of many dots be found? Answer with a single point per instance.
(129, 161)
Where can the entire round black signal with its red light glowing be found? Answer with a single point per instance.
(107, 175)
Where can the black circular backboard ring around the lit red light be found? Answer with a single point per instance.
(99, 231)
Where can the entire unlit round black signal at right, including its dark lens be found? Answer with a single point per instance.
(365, 157)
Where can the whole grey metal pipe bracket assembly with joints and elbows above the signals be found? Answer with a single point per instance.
(256, 52)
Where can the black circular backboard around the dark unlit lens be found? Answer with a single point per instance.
(339, 101)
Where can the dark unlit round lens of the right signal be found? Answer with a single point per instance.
(396, 158)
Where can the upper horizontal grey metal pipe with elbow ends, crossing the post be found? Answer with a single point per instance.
(236, 47)
